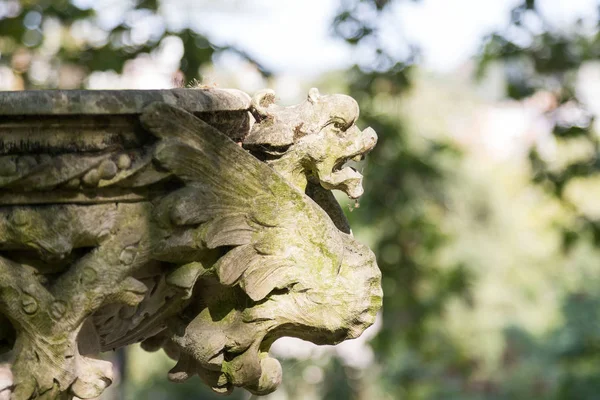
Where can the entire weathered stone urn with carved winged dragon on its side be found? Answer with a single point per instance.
(198, 221)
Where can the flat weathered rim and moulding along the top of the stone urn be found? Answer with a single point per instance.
(59, 121)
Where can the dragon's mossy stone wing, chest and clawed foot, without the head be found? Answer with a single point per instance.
(272, 236)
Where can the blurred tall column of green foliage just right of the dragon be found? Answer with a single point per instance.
(404, 198)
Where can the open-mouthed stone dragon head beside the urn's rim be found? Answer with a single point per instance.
(311, 141)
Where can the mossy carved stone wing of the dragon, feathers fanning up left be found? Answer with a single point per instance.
(238, 202)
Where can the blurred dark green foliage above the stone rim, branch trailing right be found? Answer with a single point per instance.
(44, 30)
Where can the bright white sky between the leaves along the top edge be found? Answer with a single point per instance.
(294, 36)
